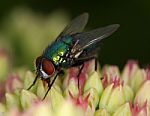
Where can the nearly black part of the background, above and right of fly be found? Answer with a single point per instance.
(132, 39)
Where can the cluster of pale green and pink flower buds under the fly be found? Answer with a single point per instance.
(106, 92)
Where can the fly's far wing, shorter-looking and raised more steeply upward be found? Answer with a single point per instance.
(76, 25)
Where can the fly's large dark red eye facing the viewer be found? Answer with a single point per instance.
(48, 67)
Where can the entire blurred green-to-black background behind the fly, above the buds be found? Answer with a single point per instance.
(27, 26)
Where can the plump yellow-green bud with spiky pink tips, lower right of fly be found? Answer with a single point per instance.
(113, 96)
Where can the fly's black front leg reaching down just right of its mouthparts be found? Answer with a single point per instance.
(51, 84)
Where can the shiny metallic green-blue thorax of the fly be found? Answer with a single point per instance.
(56, 50)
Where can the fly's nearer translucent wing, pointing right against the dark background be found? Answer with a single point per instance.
(87, 39)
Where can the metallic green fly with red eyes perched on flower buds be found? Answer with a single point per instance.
(71, 48)
